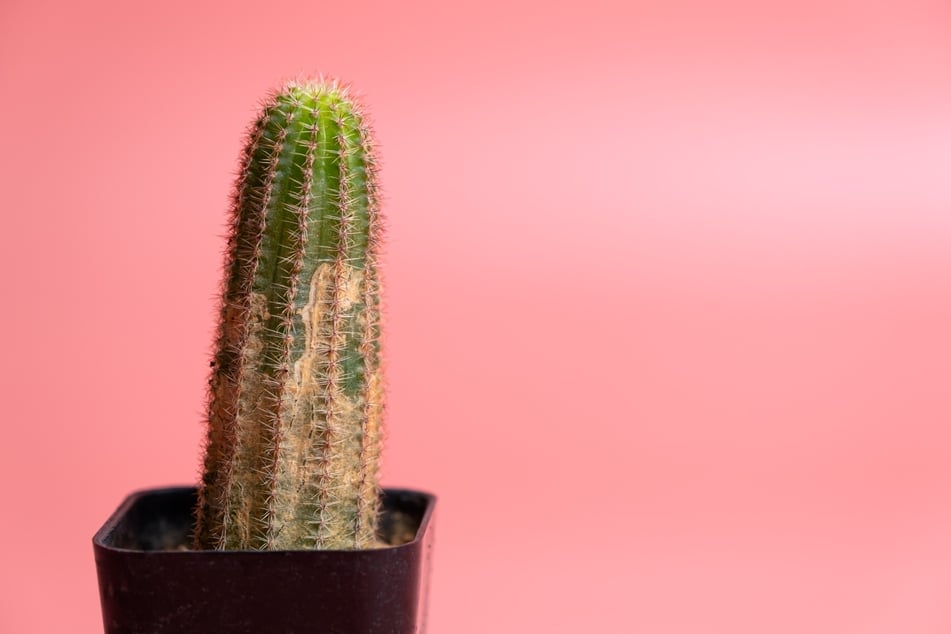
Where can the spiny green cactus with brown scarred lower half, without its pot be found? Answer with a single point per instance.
(295, 396)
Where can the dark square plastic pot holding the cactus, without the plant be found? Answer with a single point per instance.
(149, 583)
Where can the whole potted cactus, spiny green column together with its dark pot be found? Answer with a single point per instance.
(288, 530)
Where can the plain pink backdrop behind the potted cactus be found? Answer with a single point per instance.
(669, 291)
